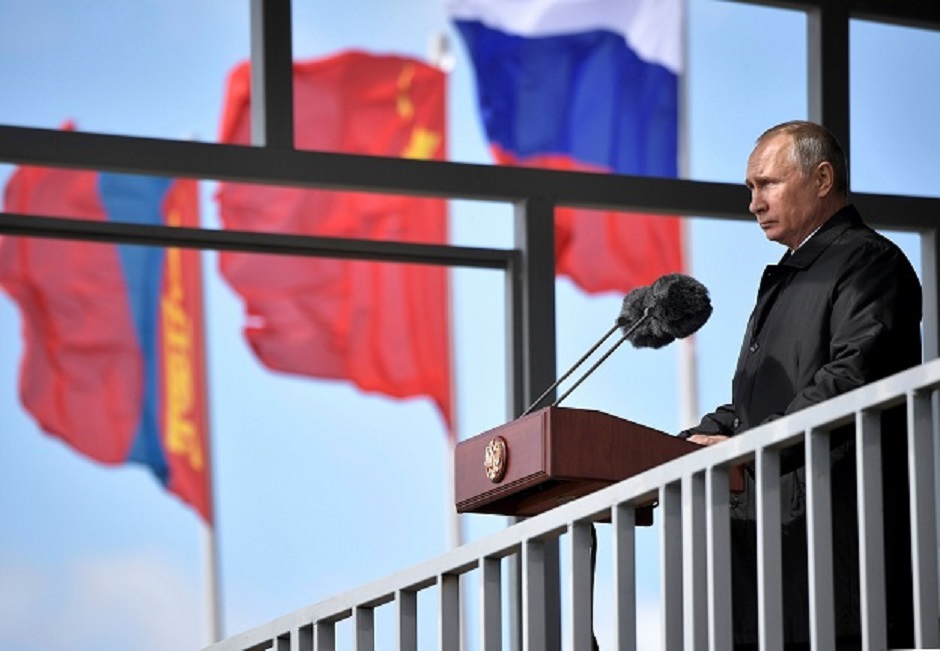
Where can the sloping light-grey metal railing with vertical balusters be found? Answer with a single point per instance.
(695, 565)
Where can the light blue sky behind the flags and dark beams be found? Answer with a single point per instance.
(320, 488)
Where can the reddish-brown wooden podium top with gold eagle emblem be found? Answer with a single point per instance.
(552, 456)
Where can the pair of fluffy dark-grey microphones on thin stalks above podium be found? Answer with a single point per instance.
(673, 307)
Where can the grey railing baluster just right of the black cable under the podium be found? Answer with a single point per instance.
(624, 525)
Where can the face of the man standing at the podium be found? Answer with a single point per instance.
(786, 202)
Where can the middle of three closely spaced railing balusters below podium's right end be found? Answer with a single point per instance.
(694, 572)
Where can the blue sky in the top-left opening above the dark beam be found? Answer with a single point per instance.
(131, 68)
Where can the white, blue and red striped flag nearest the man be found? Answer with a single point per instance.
(588, 85)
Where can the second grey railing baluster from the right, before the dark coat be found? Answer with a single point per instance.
(870, 530)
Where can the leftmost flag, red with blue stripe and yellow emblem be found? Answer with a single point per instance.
(113, 361)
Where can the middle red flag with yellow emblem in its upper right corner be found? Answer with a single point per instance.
(384, 327)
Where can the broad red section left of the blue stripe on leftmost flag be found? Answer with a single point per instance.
(81, 373)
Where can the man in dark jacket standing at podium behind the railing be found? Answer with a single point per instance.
(841, 309)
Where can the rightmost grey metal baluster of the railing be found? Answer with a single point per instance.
(920, 449)
